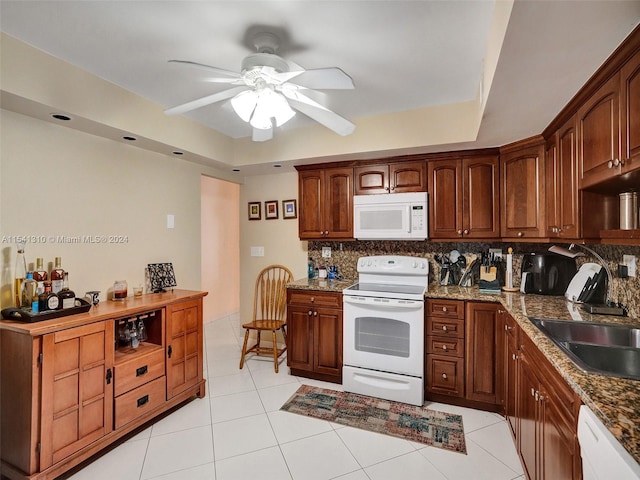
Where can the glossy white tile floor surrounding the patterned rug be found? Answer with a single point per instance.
(237, 432)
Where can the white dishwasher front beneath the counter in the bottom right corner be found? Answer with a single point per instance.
(603, 457)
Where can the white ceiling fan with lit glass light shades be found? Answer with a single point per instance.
(264, 95)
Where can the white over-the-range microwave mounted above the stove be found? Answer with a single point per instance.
(391, 216)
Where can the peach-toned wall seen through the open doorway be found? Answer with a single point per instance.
(220, 247)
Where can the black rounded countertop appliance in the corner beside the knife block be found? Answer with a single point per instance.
(546, 273)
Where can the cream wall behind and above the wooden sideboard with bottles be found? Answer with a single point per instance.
(60, 184)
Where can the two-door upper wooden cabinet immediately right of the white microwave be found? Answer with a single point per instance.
(464, 199)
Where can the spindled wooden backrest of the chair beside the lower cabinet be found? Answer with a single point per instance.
(270, 296)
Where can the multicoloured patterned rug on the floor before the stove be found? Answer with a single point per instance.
(418, 424)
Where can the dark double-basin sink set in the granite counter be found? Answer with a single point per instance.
(612, 350)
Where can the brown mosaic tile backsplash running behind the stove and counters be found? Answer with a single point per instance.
(345, 255)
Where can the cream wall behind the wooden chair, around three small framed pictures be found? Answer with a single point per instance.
(278, 237)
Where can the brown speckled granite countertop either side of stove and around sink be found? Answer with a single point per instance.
(616, 401)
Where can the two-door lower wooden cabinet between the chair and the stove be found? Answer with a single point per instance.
(314, 334)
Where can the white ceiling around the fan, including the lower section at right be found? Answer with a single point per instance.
(402, 55)
